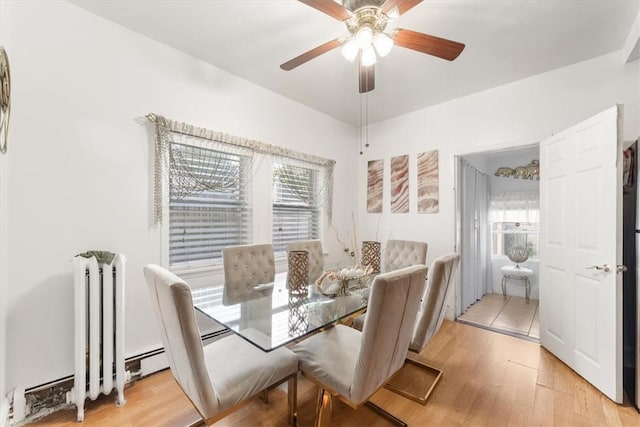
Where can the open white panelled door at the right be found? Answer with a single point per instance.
(580, 225)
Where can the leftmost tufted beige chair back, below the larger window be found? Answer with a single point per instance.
(245, 267)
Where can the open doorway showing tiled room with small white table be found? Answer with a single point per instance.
(498, 211)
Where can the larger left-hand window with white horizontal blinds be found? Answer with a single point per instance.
(217, 214)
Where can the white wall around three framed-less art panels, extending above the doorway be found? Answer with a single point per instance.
(516, 114)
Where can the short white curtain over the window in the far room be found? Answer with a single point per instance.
(515, 206)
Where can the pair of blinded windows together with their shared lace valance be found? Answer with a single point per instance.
(213, 190)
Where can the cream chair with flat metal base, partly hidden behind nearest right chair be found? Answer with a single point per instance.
(430, 317)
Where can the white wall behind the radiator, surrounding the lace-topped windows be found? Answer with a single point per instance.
(81, 164)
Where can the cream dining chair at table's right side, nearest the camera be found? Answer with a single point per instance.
(353, 365)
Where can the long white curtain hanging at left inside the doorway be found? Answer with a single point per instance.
(475, 260)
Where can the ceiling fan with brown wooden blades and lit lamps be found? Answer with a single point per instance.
(366, 21)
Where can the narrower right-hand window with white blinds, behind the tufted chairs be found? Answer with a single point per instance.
(296, 214)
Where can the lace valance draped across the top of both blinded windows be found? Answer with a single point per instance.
(179, 144)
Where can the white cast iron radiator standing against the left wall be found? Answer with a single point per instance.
(99, 330)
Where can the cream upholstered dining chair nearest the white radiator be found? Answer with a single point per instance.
(221, 376)
